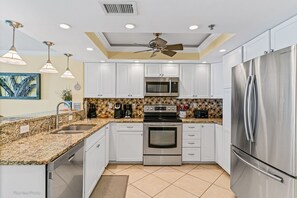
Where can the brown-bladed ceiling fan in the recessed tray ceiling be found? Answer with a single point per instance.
(159, 45)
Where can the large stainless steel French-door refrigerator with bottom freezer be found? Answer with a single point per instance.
(263, 150)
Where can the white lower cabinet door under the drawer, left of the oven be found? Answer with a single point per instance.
(129, 146)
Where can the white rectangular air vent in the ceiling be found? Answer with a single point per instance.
(119, 8)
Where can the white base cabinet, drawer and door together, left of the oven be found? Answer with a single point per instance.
(130, 142)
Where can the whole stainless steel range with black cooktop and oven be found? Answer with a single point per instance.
(162, 135)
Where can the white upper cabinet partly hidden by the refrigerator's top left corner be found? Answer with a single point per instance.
(230, 60)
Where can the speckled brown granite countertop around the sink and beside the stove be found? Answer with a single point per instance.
(42, 148)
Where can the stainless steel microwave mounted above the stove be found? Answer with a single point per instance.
(161, 86)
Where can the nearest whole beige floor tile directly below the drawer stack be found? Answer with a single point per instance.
(192, 184)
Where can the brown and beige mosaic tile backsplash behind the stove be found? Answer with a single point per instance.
(214, 106)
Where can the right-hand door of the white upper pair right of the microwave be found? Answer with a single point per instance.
(202, 81)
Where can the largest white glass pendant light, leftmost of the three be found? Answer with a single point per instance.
(12, 57)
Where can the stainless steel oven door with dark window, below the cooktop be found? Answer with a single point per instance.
(162, 138)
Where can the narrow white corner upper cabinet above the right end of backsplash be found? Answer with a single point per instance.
(217, 87)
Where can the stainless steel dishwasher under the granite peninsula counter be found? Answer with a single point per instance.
(65, 174)
